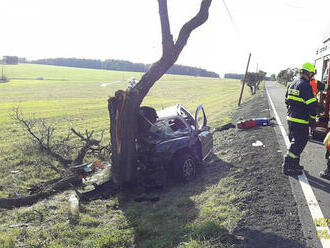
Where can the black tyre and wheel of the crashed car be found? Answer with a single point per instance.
(184, 167)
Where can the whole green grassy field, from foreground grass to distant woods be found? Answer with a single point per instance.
(186, 216)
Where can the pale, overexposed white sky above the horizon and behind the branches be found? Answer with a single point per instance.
(278, 33)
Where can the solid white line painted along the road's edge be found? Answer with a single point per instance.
(312, 203)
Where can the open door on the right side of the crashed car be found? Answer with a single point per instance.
(205, 136)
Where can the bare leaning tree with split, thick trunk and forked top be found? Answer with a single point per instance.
(123, 107)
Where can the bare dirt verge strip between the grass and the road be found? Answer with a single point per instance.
(271, 218)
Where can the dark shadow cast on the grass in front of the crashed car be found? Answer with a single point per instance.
(172, 220)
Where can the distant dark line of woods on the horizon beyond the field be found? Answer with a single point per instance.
(122, 65)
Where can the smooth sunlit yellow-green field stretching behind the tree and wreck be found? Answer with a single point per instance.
(79, 96)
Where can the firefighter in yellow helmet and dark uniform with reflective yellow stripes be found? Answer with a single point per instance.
(301, 105)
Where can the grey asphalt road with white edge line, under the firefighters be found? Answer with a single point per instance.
(313, 159)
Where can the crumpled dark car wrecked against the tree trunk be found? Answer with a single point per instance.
(177, 141)
